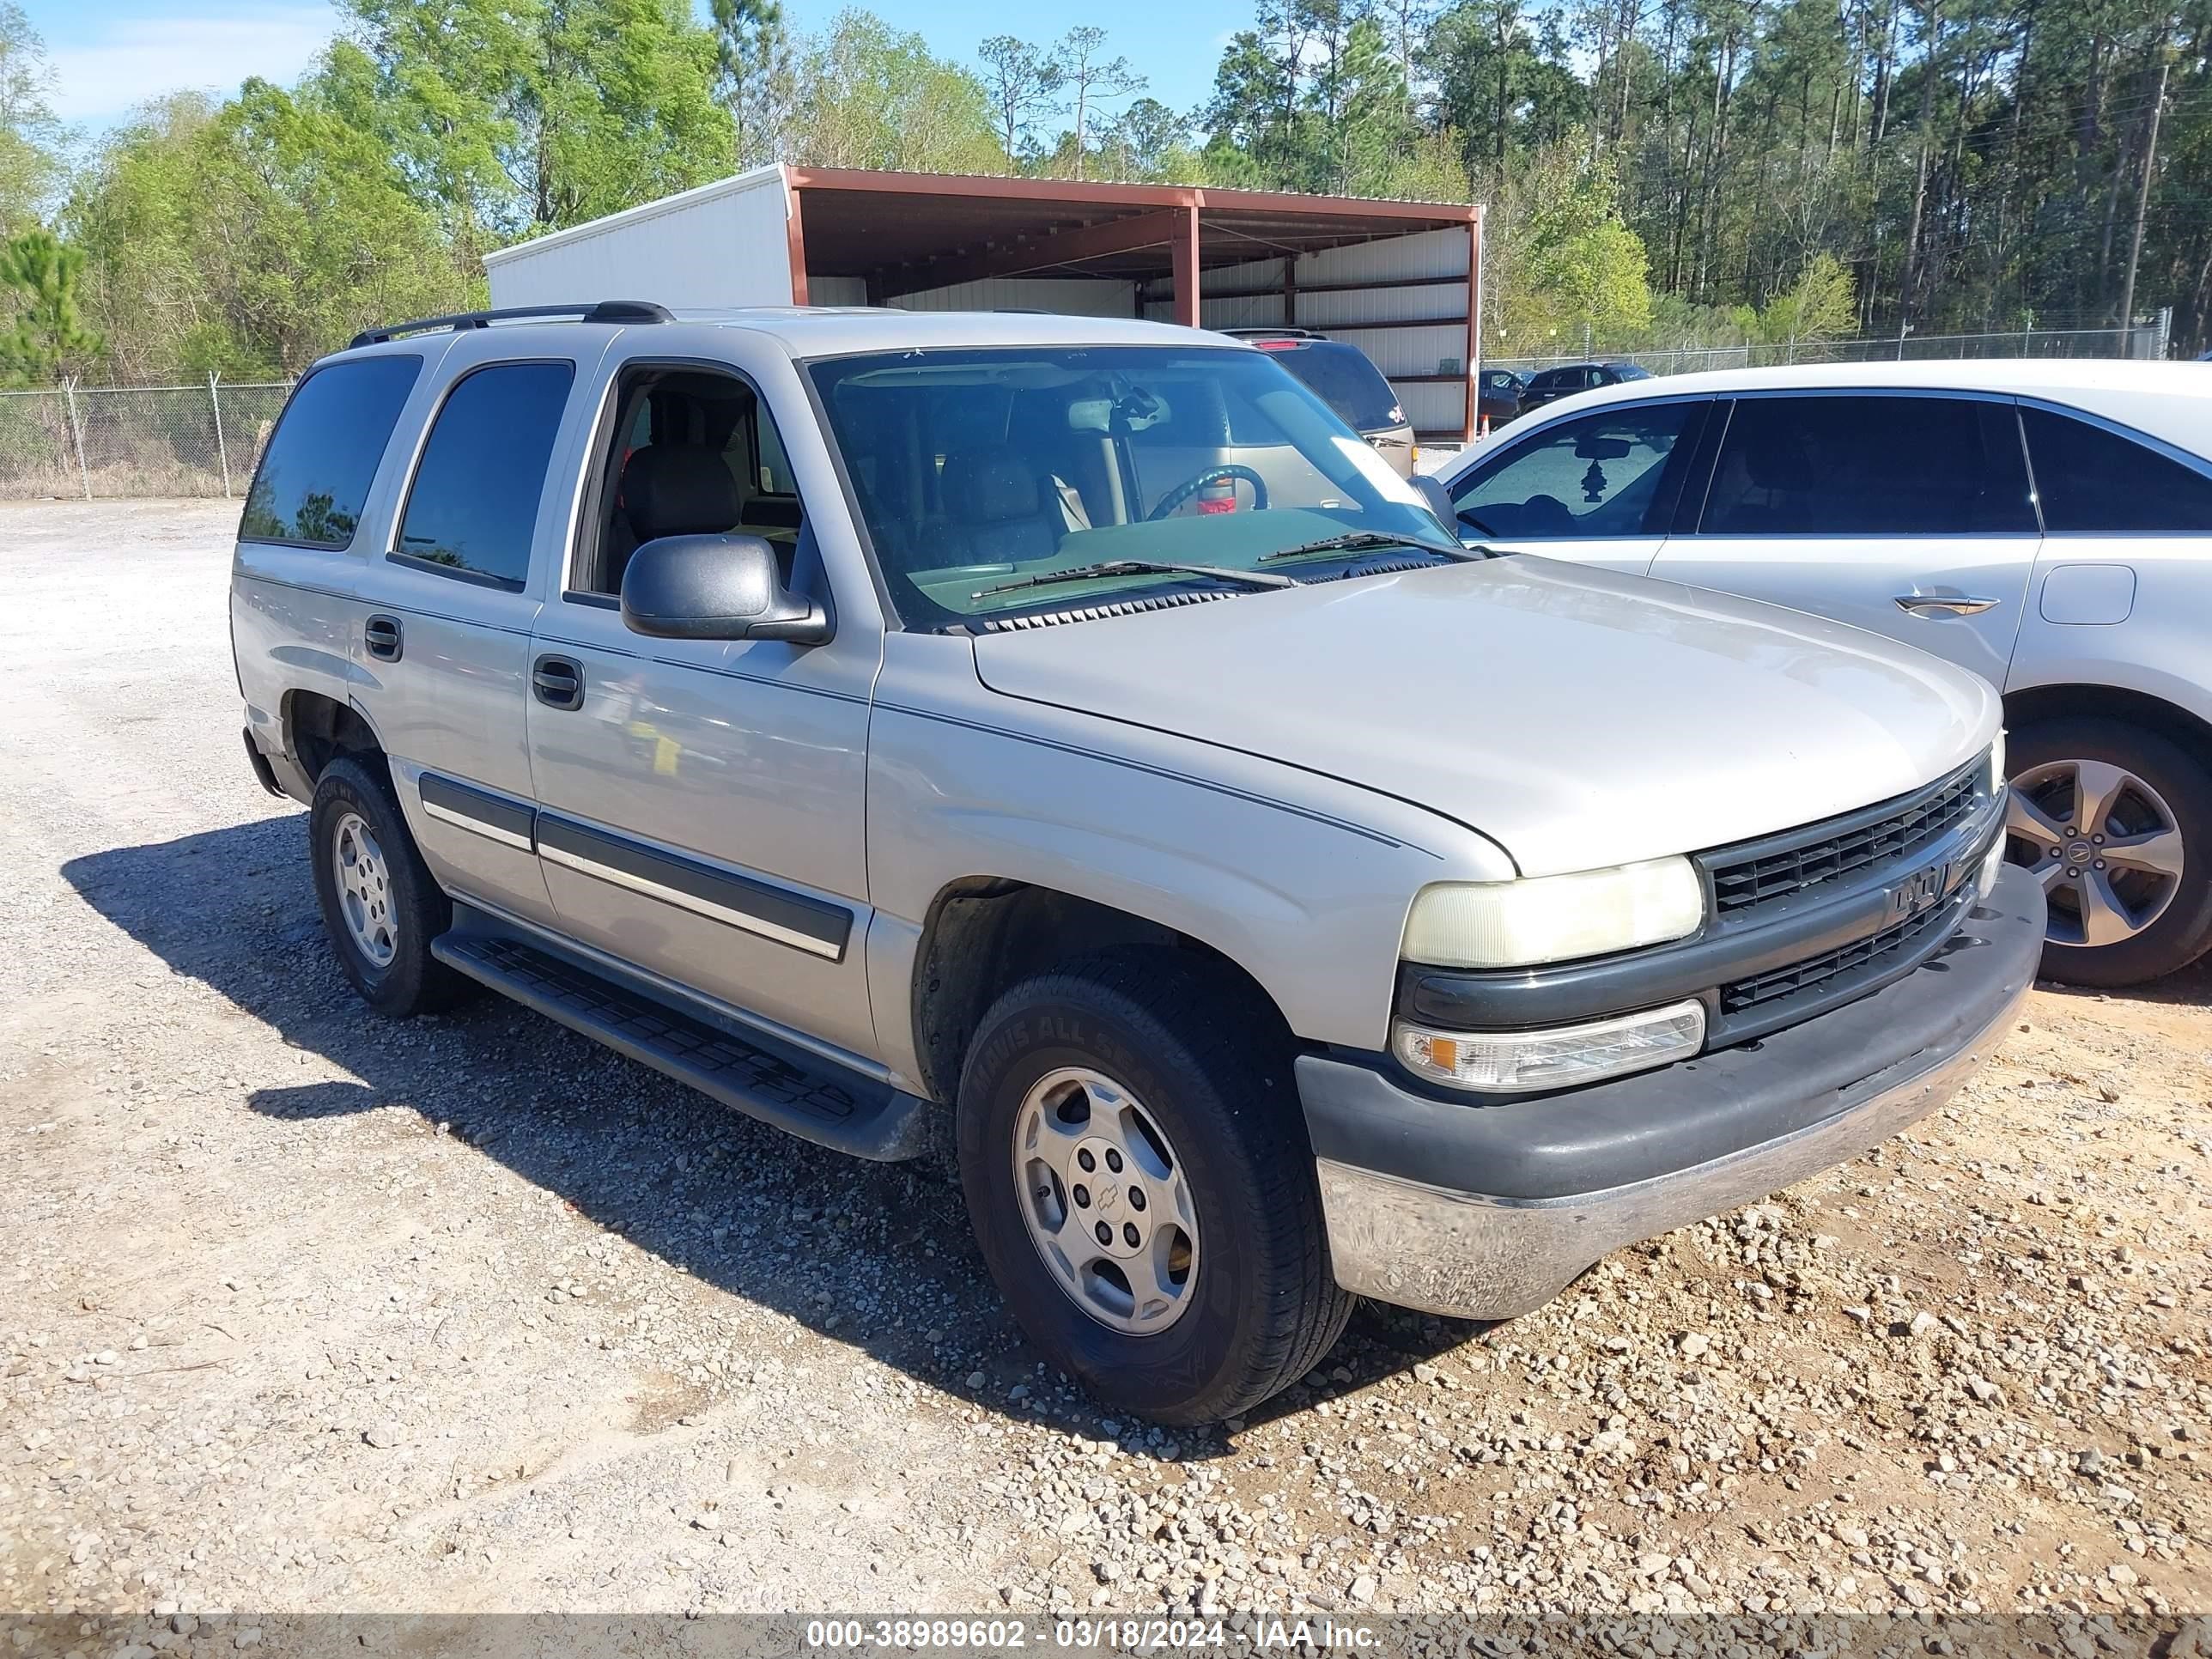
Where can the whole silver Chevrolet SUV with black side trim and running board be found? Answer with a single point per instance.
(1074, 729)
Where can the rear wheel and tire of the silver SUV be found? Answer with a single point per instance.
(406, 912)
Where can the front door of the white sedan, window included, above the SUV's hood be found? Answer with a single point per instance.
(1596, 490)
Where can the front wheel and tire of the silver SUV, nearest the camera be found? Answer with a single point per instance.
(1209, 1074)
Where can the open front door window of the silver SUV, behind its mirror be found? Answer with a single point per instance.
(691, 452)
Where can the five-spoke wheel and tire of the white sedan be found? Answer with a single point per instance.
(2151, 924)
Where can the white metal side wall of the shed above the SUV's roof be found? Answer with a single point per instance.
(722, 244)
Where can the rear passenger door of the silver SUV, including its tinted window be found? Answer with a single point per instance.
(444, 649)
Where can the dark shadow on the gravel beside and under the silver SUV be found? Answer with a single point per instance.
(877, 1255)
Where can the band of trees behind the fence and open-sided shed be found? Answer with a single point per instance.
(1658, 171)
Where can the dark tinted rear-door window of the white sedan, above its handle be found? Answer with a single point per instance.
(1870, 468)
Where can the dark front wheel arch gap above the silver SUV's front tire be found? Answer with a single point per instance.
(985, 935)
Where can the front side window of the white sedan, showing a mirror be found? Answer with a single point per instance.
(1592, 477)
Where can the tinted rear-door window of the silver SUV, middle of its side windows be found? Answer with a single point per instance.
(474, 501)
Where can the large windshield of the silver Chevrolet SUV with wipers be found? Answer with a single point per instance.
(974, 468)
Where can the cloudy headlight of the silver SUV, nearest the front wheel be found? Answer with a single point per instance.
(1554, 919)
